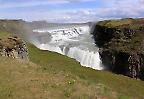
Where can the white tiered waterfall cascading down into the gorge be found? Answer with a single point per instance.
(73, 41)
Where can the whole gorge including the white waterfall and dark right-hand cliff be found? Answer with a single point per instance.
(114, 45)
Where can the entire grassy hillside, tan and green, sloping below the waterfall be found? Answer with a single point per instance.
(49, 75)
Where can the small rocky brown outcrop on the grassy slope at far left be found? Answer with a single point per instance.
(13, 47)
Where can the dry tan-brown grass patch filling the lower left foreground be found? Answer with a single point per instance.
(24, 80)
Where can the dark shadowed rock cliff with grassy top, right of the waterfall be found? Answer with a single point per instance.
(121, 45)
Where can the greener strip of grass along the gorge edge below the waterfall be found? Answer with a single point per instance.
(54, 63)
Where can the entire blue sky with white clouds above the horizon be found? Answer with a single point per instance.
(70, 10)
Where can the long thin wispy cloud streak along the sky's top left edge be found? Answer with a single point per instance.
(28, 3)
